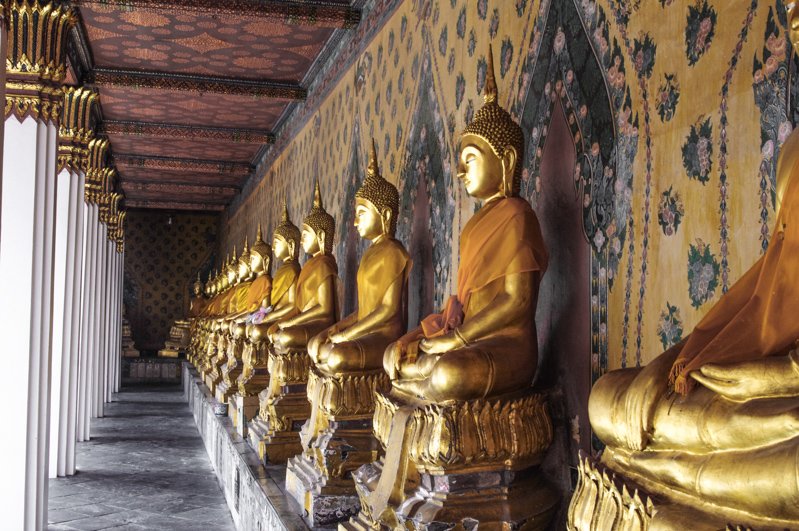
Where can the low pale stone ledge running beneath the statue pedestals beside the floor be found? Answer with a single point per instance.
(254, 493)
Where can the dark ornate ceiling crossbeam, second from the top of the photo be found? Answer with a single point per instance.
(139, 79)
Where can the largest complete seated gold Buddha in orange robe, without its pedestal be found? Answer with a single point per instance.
(484, 342)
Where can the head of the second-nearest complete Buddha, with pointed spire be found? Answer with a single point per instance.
(376, 203)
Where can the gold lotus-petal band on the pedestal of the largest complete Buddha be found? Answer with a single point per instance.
(471, 435)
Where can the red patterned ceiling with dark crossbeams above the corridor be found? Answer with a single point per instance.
(191, 90)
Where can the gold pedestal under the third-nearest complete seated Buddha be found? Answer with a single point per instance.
(284, 407)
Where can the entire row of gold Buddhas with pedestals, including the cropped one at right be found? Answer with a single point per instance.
(441, 427)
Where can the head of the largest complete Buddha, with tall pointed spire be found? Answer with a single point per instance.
(491, 148)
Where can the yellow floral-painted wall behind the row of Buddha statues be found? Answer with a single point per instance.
(676, 126)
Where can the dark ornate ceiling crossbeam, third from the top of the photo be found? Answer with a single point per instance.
(243, 136)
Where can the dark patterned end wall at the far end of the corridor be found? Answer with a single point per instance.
(161, 264)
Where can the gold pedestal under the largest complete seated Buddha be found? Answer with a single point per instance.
(457, 465)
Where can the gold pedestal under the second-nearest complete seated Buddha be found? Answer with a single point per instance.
(336, 440)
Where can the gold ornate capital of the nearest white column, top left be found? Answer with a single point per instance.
(36, 59)
